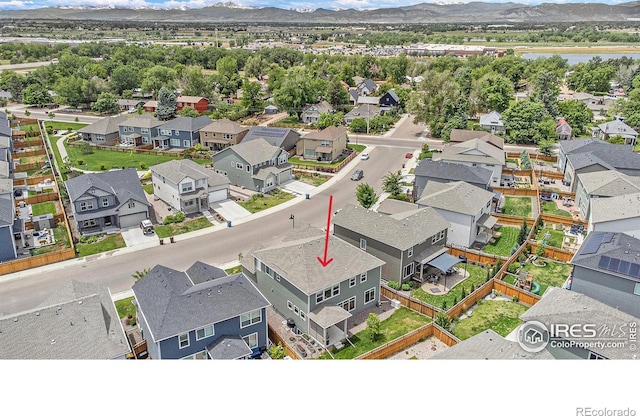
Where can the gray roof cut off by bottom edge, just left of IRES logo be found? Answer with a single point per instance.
(489, 345)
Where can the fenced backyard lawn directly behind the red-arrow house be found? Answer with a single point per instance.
(400, 323)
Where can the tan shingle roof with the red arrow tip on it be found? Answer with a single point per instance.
(297, 261)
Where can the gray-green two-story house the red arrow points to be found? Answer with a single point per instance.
(315, 299)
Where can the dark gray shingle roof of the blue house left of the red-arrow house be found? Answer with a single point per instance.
(172, 303)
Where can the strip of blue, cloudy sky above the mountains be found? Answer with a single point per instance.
(285, 4)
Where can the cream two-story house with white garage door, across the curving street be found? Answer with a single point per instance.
(187, 186)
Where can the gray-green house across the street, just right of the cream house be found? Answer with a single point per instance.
(254, 164)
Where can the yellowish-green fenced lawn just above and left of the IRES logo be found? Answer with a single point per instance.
(500, 316)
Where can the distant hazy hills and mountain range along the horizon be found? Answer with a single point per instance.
(475, 12)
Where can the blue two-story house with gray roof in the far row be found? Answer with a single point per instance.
(180, 132)
